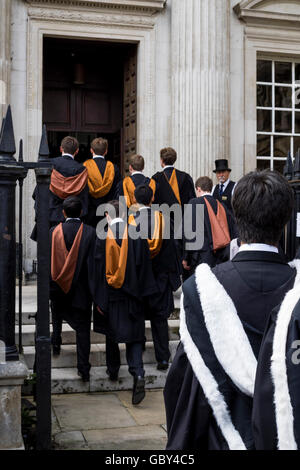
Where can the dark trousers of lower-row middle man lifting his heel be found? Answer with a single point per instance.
(134, 357)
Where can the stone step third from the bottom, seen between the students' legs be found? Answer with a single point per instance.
(69, 335)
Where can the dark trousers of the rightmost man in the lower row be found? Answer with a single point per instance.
(160, 335)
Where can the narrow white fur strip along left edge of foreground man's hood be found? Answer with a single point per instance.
(210, 387)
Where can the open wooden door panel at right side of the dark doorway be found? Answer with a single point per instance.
(130, 106)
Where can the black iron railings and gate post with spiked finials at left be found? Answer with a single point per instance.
(12, 171)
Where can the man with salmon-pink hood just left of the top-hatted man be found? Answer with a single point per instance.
(216, 219)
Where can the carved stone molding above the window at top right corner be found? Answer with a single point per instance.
(265, 12)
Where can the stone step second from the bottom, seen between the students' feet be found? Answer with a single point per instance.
(68, 358)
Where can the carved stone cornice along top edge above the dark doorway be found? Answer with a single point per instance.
(146, 6)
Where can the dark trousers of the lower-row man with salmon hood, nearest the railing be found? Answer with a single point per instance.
(80, 321)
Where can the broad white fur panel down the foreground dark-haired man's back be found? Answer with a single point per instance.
(228, 337)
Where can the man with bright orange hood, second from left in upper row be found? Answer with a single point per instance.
(103, 179)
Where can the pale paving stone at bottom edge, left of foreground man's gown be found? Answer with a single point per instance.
(134, 438)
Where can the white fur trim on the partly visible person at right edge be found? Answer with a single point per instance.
(282, 400)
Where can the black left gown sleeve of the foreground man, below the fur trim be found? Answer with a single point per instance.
(187, 411)
